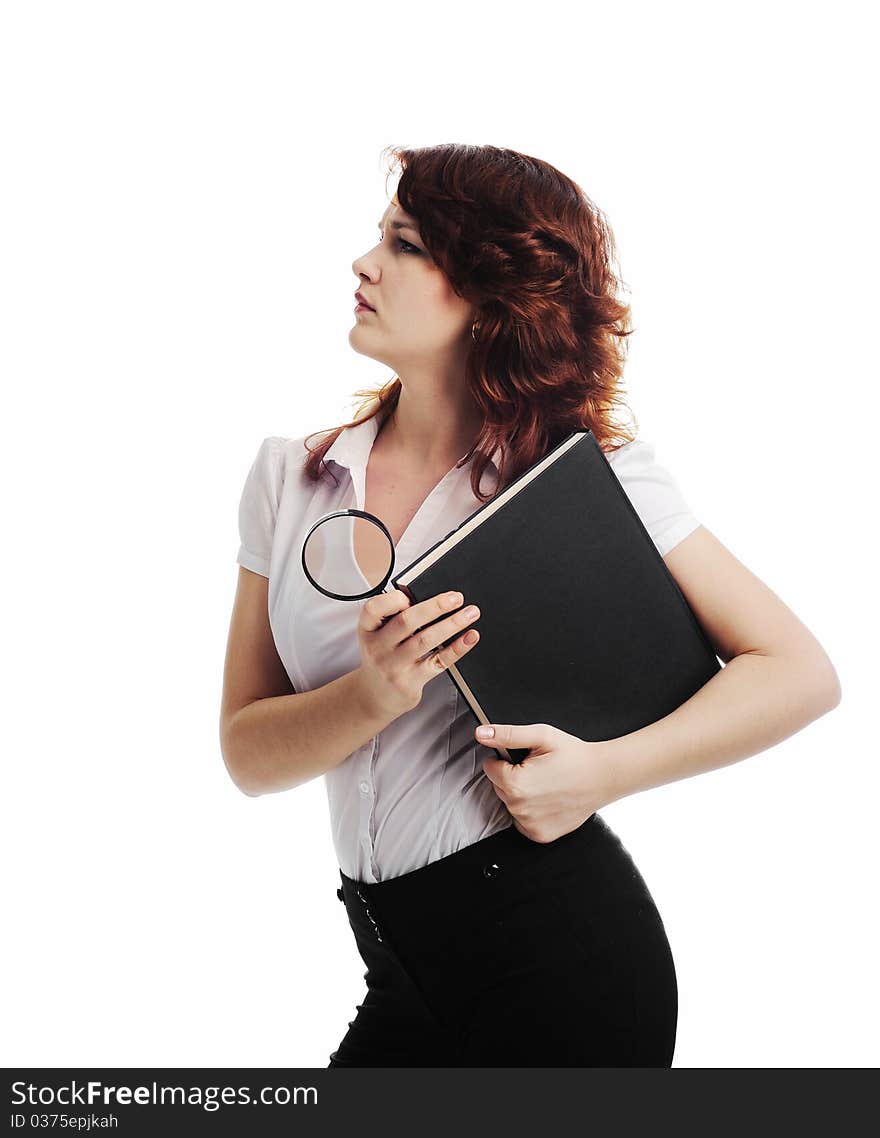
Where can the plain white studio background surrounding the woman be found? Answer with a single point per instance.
(186, 187)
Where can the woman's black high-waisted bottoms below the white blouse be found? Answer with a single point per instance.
(513, 953)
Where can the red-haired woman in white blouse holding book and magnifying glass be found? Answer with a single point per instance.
(501, 921)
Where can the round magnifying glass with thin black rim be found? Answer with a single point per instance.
(330, 562)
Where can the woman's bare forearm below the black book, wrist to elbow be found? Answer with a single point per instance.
(750, 706)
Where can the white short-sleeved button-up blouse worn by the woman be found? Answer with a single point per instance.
(416, 793)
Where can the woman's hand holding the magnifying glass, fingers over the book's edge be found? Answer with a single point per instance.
(398, 650)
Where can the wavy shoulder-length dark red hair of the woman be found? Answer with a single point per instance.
(527, 246)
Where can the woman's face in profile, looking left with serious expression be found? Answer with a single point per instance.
(418, 318)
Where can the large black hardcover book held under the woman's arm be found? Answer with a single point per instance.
(582, 625)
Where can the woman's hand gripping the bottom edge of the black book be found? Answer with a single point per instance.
(556, 788)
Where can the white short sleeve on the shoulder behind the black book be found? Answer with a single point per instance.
(654, 493)
